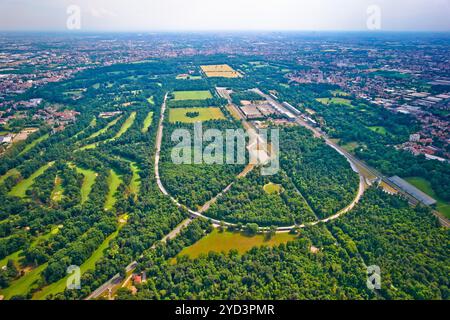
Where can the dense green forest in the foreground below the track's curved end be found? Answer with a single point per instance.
(383, 230)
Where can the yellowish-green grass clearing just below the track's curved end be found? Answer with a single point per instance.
(226, 241)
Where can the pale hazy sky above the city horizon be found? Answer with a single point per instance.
(231, 15)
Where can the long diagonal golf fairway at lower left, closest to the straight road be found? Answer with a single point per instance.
(89, 264)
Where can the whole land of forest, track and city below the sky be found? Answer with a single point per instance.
(224, 165)
